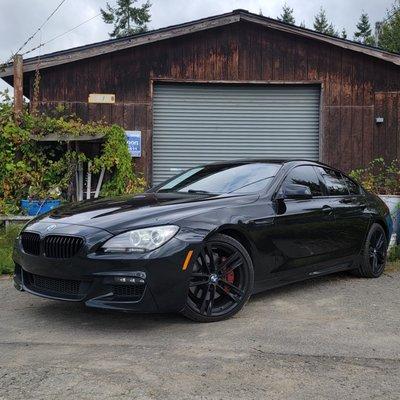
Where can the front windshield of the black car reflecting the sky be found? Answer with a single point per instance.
(223, 178)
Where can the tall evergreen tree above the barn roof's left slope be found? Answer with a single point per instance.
(127, 20)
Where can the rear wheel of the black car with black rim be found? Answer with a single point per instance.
(373, 257)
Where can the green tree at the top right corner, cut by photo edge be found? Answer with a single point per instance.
(389, 36)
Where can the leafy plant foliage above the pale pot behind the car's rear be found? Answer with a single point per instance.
(379, 176)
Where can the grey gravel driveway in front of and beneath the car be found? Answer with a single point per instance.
(329, 338)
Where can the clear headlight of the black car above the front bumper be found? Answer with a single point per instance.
(140, 240)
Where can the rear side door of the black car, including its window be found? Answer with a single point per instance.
(348, 203)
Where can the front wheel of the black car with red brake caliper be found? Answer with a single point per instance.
(220, 285)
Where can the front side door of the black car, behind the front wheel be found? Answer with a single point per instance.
(302, 229)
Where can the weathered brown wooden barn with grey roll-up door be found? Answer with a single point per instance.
(236, 85)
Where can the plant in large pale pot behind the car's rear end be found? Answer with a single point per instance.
(383, 179)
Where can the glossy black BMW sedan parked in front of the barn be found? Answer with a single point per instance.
(202, 242)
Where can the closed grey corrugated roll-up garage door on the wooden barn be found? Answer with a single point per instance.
(199, 124)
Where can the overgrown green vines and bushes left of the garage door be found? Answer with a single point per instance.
(39, 170)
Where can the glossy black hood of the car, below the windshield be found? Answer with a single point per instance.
(123, 213)
